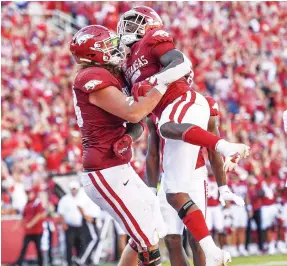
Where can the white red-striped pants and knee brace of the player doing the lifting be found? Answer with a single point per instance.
(131, 203)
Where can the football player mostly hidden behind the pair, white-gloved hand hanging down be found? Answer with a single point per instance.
(198, 191)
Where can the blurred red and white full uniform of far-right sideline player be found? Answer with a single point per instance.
(270, 208)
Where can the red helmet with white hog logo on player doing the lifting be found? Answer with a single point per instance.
(98, 44)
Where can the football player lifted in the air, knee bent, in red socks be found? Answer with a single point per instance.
(183, 117)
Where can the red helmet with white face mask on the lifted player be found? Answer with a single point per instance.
(134, 23)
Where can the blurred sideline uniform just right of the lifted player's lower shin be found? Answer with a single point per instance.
(214, 215)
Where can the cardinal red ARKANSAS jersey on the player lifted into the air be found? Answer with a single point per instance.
(144, 61)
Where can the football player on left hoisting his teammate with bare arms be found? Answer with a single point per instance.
(102, 107)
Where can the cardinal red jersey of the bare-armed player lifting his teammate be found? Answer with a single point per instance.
(100, 129)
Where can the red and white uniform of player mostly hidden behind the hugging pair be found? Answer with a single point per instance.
(197, 189)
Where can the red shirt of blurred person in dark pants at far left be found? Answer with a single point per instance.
(31, 209)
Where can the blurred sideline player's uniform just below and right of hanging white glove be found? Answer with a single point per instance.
(240, 216)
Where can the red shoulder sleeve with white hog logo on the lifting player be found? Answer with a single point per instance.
(94, 79)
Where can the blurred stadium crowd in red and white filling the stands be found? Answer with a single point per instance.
(239, 56)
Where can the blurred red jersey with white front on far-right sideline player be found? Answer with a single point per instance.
(270, 186)
